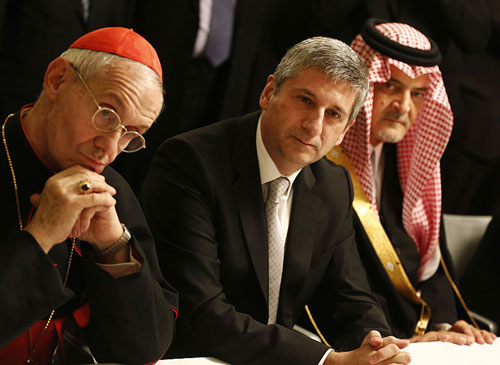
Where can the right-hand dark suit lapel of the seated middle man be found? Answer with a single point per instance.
(300, 242)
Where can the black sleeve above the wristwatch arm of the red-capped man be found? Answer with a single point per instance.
(133, 317)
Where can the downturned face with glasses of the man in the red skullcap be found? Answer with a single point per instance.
(74, 140)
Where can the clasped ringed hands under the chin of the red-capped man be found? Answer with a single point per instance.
(64, 210)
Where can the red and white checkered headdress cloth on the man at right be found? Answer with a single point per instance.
(420, 150)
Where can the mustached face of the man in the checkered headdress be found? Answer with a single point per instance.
(396, 104)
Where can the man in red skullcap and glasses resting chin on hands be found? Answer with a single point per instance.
(78, 262)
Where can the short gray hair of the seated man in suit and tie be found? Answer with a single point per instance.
(333, 58)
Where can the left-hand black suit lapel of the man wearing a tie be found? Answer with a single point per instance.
(248, 193)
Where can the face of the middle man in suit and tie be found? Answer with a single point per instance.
(305, 118)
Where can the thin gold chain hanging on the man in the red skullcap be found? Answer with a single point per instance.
(33, 348)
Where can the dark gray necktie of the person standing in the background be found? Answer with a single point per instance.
(218, 45)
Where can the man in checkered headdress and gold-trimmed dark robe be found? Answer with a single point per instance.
(393, 152)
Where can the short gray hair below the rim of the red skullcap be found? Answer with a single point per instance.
(94, 64)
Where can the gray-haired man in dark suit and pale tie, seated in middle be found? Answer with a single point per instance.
(245, 259)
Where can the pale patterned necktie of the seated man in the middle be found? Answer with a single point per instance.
(276, 242)
